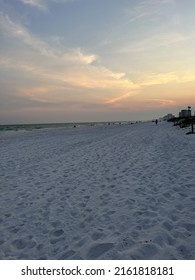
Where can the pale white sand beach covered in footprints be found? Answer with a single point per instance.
(98, 192)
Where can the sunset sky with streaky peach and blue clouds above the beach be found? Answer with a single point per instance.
(95, 60)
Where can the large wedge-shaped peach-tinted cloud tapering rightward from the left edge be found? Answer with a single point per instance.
(61, 70)
